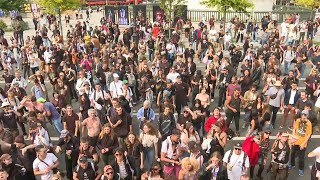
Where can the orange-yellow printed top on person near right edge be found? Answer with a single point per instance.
(302, 130)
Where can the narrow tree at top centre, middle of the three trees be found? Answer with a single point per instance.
(171, 8)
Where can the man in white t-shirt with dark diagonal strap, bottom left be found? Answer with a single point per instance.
(44, 164)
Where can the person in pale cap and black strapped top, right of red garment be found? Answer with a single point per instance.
(280, 154)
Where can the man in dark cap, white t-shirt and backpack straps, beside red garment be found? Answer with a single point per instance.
(236, 161)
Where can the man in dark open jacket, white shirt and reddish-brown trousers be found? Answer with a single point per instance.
(290, 99)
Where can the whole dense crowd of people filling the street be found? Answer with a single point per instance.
(136, 103)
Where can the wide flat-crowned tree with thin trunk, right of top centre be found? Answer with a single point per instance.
(229, 5)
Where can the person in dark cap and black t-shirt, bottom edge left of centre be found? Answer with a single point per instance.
(86, 170)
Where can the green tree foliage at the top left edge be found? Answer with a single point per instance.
(63, 5)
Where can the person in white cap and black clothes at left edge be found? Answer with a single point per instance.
(9, 118)
